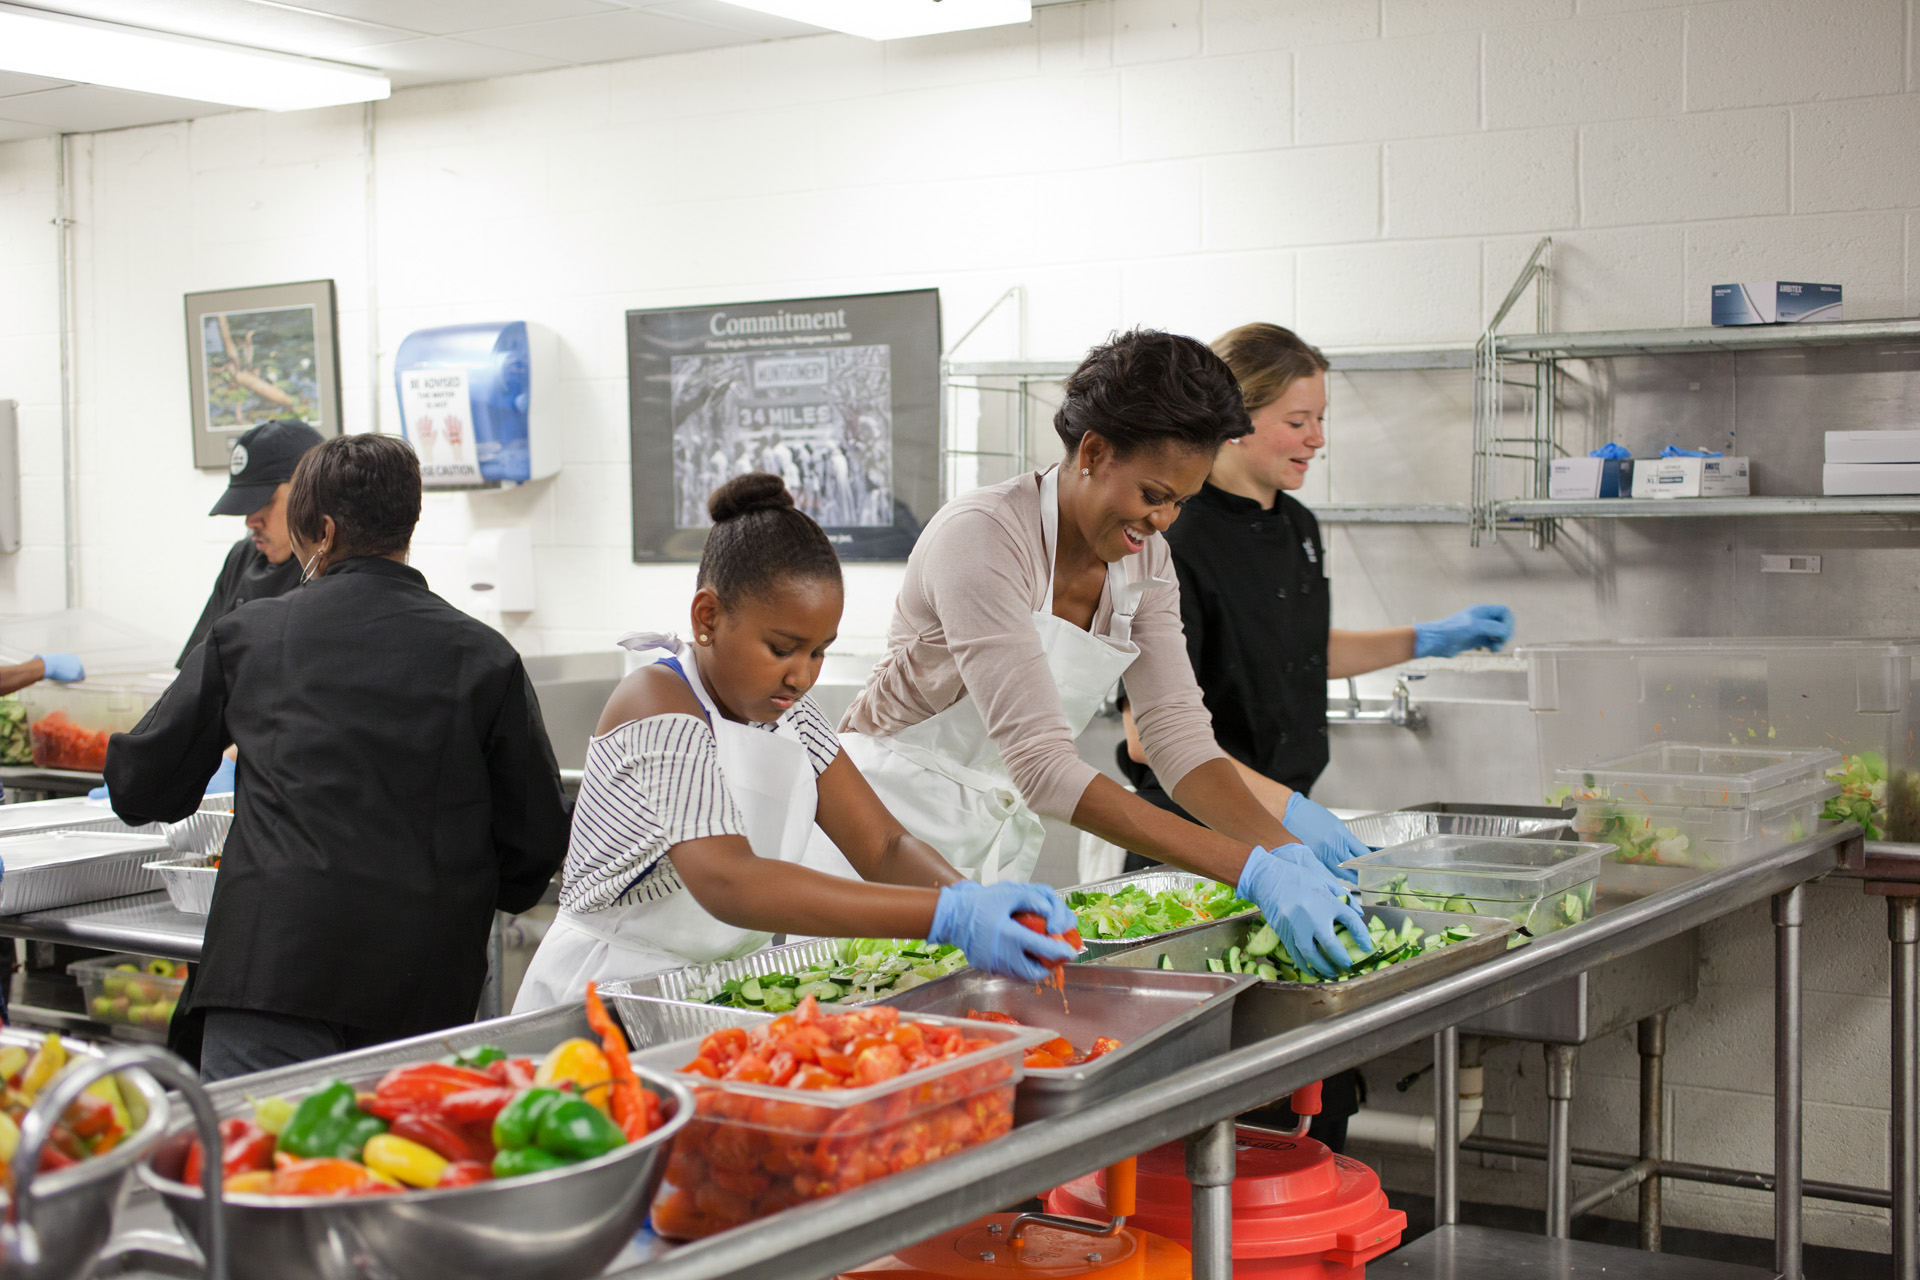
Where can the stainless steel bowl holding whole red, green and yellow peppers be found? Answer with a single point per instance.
(562, 1225)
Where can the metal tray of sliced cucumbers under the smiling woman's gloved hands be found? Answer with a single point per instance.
(1274, 1008)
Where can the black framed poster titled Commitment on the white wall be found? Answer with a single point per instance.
(838, 396)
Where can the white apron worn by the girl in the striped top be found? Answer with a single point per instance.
(773, 784)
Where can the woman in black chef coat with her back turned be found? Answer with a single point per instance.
(396, 786)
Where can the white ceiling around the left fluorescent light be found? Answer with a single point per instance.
(412, 41)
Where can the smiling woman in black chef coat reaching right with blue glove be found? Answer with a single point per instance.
(1257, 609)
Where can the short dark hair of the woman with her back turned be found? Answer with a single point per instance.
(372, 488)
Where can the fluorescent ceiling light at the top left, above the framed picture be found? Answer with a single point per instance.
(78, 49)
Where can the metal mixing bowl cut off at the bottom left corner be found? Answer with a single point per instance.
(74, 1208)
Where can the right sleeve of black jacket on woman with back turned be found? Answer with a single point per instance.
(529, 807)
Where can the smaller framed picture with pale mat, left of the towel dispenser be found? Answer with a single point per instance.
(256, 356)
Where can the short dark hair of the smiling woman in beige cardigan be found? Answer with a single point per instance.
(1145, 391)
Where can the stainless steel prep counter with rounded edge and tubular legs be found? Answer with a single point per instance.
(1201, 1102)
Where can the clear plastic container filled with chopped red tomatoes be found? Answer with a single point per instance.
(756, 1149)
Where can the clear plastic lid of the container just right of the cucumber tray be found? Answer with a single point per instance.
(1487, 868)
